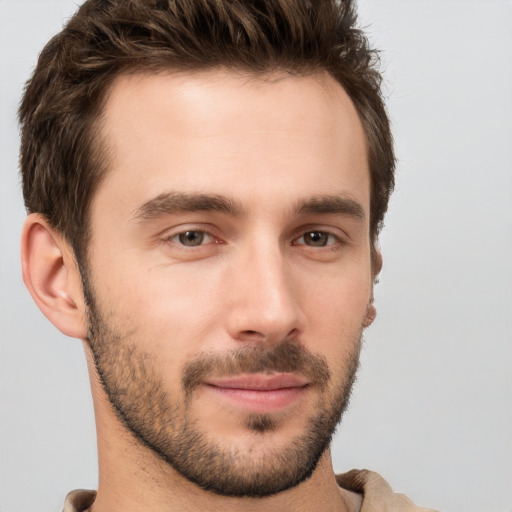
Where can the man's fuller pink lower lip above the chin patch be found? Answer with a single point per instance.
(260, 401)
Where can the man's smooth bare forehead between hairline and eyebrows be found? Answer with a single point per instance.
(255, 137)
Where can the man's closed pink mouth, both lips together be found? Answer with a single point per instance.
(259, 393)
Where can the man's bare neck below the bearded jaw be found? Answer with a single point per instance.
(130, 481)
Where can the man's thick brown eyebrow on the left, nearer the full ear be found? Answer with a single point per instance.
(178, 202)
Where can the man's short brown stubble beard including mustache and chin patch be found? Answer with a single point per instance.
(163, 423)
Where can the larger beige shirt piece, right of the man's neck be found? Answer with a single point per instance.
(377, 493)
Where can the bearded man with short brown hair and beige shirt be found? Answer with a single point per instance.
(205, 184)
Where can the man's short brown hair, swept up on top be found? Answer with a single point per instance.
(61, 158)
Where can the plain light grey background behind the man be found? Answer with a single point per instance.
(432, 409)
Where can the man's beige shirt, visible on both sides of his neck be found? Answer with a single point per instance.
(377, 494)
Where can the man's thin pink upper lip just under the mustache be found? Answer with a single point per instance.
(259, 381)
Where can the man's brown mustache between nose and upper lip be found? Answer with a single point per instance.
(286, 357)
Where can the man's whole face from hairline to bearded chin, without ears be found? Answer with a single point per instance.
(229, 271)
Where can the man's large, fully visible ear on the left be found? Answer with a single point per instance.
(51, 274)
